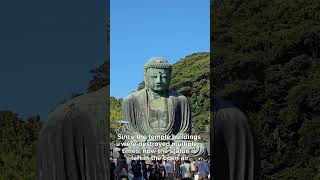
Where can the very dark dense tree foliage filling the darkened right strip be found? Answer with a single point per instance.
(266, 55)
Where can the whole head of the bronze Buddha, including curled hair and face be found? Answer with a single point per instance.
(157, 74)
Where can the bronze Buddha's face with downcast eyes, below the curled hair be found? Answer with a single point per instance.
(157, 80)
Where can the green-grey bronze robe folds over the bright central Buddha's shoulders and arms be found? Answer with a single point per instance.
(136, 111)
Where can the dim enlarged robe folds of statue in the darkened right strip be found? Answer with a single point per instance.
(235, 154)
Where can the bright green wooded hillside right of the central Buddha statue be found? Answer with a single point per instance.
(191, 78)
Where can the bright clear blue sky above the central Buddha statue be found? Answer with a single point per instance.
(141, 29)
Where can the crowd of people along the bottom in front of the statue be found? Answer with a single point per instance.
(192, 169)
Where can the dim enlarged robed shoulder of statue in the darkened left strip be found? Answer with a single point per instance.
(72, 144)
